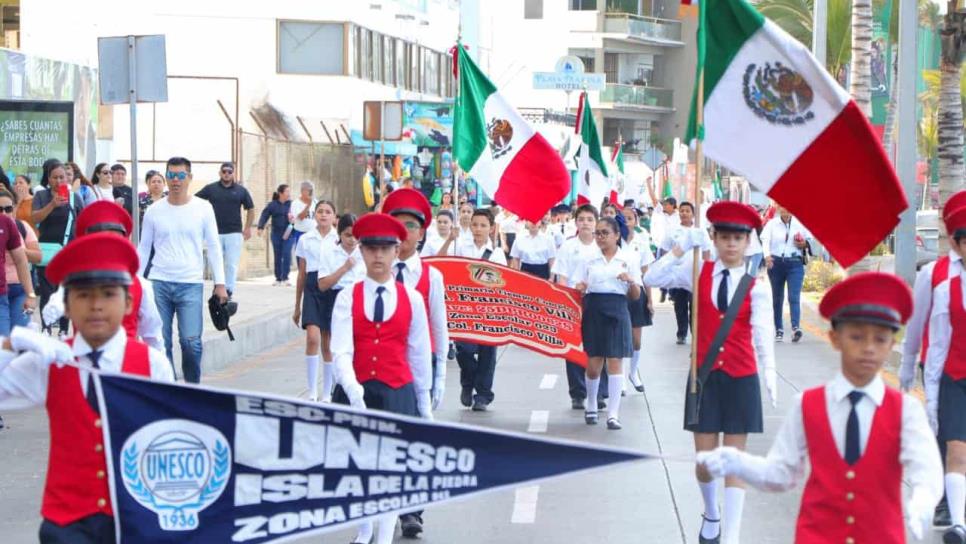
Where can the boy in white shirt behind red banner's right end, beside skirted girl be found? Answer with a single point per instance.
(571, 254)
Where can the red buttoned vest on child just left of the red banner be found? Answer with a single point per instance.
(380, 348)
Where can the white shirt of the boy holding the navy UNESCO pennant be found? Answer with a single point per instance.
(23, 378)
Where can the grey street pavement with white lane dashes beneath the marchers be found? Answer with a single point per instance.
(653, 501)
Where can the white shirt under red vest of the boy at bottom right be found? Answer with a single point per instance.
(784, 467)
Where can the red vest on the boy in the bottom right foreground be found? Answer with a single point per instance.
(859, 503)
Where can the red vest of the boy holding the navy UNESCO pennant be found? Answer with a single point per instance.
(77, 469)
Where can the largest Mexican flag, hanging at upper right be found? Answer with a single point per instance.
(773, 114)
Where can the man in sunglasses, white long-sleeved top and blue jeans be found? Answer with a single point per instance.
(175, 233)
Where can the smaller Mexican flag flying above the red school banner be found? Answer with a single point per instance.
(511, 162)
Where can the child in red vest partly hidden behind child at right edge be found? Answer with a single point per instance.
(915, 345)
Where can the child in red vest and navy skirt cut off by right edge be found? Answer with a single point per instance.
(945, 378)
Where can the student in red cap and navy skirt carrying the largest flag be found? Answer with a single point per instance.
(730, 400)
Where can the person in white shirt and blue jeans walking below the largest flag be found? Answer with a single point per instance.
(783, 241)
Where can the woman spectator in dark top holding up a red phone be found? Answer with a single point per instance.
(54, 212)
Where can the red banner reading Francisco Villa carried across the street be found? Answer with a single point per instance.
(494, 305)
